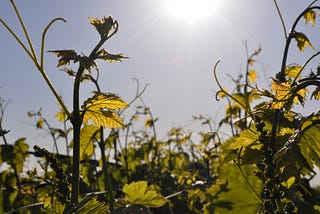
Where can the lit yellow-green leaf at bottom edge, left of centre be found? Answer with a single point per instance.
(137, 193)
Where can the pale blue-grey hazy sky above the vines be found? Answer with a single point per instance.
(174, 55)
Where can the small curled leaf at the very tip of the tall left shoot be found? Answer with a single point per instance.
(103, 26)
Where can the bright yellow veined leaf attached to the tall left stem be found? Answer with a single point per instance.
(99, 109)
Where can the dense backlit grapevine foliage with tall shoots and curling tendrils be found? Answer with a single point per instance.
(117, 167)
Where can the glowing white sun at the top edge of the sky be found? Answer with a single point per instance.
(191, 10)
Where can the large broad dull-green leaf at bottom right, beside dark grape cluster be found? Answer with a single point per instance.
(235, 195)
